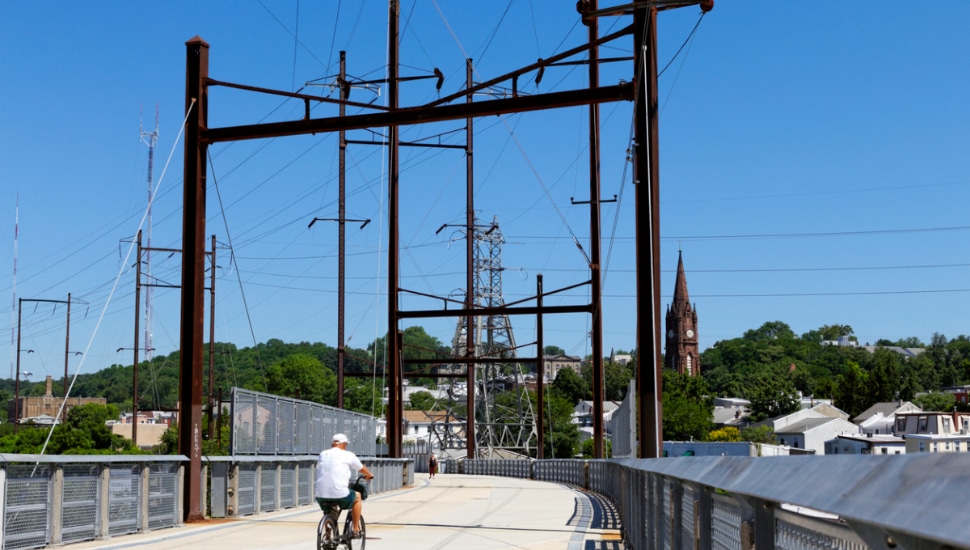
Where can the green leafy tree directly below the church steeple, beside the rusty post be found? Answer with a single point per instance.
(687, 407)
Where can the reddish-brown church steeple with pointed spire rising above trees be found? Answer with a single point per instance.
(681, 351)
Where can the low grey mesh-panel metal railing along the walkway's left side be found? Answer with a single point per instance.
(57, 500)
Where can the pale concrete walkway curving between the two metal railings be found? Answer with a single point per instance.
(449, 511)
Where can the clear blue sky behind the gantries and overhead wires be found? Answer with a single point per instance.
(814, 168)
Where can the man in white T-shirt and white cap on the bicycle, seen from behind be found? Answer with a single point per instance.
(333, 479)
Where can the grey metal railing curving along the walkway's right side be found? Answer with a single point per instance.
(799, 502)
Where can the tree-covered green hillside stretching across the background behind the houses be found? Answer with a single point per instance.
(769, 366)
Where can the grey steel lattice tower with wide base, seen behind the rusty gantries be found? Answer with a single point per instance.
(511, 426)
